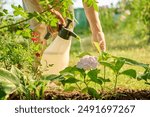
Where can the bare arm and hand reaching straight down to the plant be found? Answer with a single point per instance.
(95, 25)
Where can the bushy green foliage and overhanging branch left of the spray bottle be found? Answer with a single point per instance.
(16, 36)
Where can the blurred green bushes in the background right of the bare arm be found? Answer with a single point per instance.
(131, 16)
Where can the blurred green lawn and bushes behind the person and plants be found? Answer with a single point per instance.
(127, 32)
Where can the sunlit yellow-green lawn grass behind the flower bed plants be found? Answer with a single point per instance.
(118, 44)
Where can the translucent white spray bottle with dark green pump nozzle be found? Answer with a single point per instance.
(57, 54)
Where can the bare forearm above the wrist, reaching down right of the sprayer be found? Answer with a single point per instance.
(93, 18)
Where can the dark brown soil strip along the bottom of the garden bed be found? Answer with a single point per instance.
(121, 94)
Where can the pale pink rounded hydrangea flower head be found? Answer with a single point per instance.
(87, 63)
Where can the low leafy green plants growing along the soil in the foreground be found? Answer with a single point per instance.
(72, 77)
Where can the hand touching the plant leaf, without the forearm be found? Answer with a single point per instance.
(99, 37)
